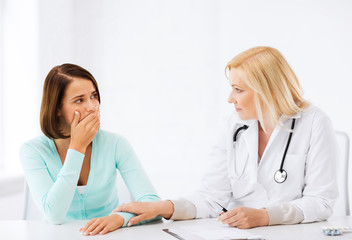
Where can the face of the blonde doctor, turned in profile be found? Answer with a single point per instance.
(241, 96)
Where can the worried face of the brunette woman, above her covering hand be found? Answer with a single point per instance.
(80, 96)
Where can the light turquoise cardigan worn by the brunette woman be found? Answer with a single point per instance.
(54, 186)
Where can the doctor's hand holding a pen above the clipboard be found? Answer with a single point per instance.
(243, 217)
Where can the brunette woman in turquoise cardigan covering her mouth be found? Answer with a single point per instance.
(71, 170)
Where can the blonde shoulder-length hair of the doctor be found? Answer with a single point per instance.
(275, 85)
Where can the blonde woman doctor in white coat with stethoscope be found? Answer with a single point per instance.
(274, 162)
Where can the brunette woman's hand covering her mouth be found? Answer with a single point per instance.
(83, 132)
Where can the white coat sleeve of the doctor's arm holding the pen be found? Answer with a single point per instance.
(319, 190)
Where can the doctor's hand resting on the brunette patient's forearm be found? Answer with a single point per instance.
(146, 210)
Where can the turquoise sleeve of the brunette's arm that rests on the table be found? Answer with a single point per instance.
(134, 176)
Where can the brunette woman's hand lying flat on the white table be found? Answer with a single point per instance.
(103, 225)
